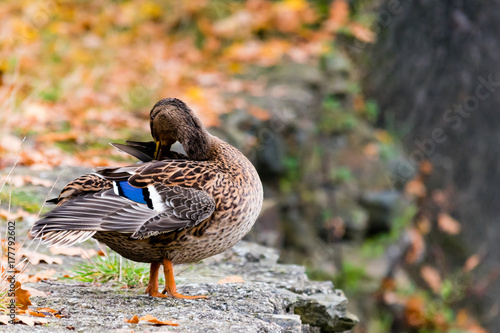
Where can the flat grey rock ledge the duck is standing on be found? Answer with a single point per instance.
(273, 298)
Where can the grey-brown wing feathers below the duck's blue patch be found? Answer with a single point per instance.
(107, 211)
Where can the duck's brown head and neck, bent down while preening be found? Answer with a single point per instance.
(172, 120)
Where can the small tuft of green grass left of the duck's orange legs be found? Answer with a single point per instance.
(112, 269)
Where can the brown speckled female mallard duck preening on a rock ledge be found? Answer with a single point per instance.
(170, 210)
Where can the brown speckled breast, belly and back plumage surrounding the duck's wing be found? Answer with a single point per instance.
(228, 177)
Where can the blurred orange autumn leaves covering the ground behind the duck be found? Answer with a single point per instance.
(76, 75)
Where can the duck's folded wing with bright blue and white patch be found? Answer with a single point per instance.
(154, 208)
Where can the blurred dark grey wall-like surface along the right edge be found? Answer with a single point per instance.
(435, 73)
